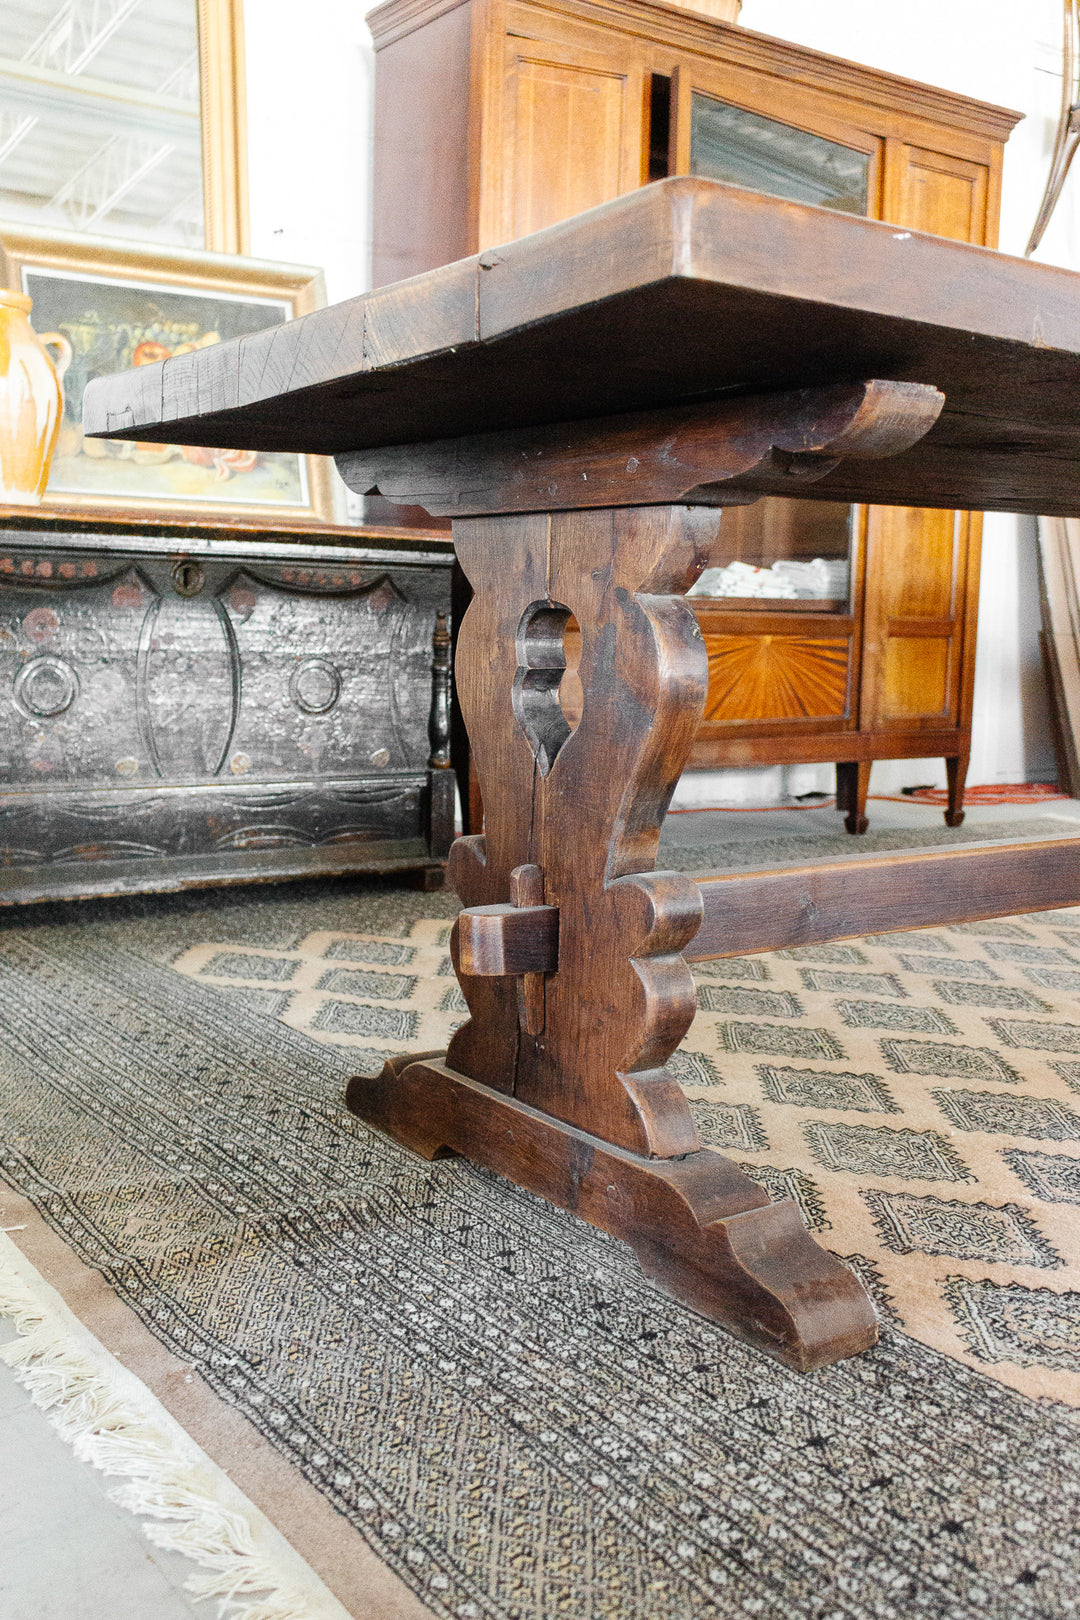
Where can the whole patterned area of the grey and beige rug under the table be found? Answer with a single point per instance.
(485, 1388)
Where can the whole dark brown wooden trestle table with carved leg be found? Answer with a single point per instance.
(585, 403)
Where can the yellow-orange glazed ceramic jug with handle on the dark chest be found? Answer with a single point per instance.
(32, 401)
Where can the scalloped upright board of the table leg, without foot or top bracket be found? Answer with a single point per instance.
(582, 806)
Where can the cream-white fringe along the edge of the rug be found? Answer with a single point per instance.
(166, 1481)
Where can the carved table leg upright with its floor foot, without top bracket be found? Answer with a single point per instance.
(559, 1080)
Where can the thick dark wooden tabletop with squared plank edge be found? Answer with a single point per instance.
(682, 291)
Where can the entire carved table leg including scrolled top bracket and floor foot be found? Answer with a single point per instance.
(569, 950)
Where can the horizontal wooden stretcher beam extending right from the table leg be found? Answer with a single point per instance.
(921, 889)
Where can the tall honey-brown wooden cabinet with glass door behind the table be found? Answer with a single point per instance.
(498, 117)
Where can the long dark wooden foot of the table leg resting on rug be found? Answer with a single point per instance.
(700, 1229)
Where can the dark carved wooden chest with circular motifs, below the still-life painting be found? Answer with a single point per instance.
(189, 706)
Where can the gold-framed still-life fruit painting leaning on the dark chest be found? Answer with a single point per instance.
(104, 307)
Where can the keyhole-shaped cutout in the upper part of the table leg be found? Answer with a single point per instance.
(546, 712)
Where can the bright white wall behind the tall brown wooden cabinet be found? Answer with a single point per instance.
(310, 87)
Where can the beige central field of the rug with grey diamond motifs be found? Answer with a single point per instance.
(912, 1093)
